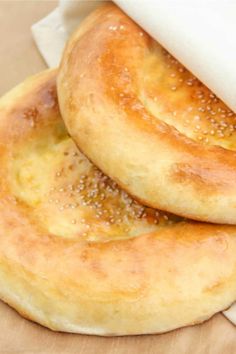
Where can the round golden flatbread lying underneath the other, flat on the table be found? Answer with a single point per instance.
(77, 254)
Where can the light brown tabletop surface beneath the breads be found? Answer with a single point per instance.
(18, 59)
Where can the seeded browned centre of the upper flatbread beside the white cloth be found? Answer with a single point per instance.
(201, 115)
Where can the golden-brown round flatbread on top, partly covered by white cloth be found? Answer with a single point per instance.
(146, 121)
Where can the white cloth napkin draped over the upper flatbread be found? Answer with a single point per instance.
(201, 34)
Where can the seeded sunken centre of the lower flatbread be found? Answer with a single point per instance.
(92, 200)
